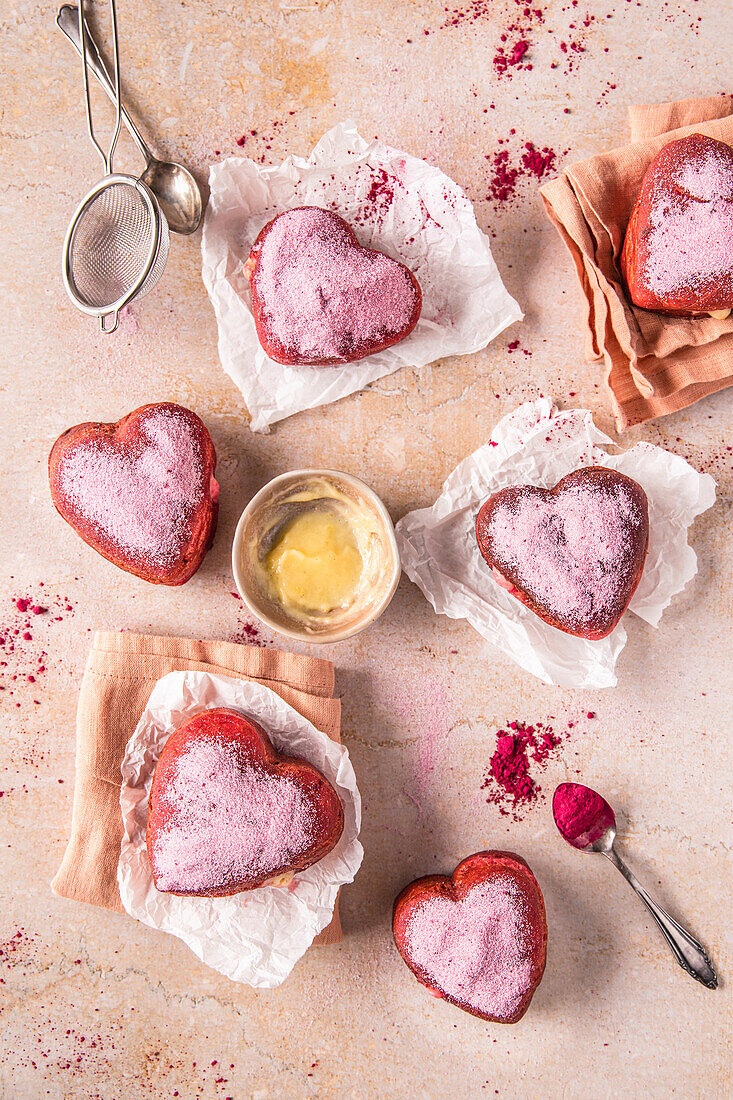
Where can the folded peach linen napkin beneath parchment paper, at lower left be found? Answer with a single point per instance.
(121, 674)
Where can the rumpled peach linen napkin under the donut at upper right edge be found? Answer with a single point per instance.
(654, 365)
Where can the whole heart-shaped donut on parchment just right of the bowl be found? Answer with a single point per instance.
(575, 554)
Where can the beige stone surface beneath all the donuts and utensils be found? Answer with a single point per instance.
(93, 1005)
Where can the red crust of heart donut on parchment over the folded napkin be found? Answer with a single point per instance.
(225, 725)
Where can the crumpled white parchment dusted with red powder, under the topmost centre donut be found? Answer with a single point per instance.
(397, 204)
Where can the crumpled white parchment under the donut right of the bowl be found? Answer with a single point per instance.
(538, 445)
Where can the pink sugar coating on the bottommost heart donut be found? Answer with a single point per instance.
(477, 951)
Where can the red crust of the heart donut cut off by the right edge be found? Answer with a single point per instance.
(690, 301)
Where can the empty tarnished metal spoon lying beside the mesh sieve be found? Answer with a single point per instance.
(173, 185)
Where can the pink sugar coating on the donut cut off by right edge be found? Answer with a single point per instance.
(691, 243)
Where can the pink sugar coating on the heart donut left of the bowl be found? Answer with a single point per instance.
(141, 500)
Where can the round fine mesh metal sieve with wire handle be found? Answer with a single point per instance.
(118, 240)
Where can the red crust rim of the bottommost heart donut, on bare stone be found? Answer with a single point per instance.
(478, 868)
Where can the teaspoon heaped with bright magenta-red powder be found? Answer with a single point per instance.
(588, 823)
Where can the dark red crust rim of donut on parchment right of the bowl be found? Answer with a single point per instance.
(597, 475)
